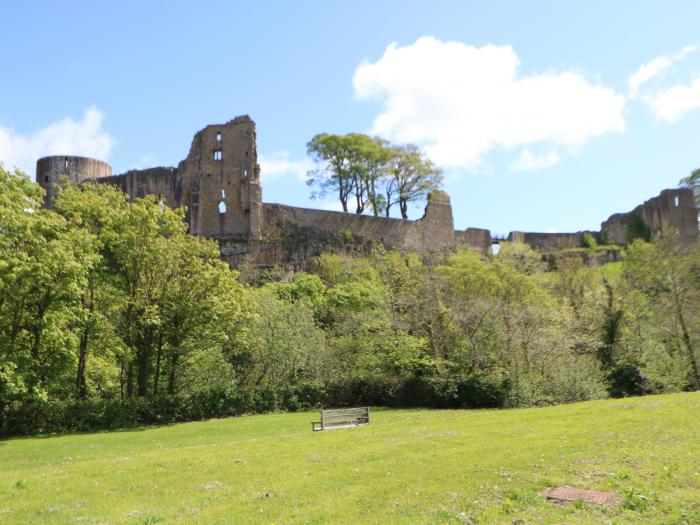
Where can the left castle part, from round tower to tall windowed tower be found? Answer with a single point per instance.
(218, 182)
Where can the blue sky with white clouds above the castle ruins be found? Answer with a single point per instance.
(544, 115)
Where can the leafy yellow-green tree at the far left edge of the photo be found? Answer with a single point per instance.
(43, 263)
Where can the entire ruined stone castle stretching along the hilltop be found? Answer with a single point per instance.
(219, 185)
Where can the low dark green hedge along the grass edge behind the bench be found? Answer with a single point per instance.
(50, 417)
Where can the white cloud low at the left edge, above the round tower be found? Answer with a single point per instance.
(85, 137)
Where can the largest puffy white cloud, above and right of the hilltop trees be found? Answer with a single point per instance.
(460, 101)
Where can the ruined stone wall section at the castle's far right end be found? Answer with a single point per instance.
(672, 210)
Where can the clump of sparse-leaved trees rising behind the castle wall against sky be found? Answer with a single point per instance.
(370, 173)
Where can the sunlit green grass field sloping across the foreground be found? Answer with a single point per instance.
(408, 466)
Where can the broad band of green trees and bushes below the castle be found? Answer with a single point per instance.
(112, 315)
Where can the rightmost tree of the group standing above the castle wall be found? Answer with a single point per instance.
(410, 177)
